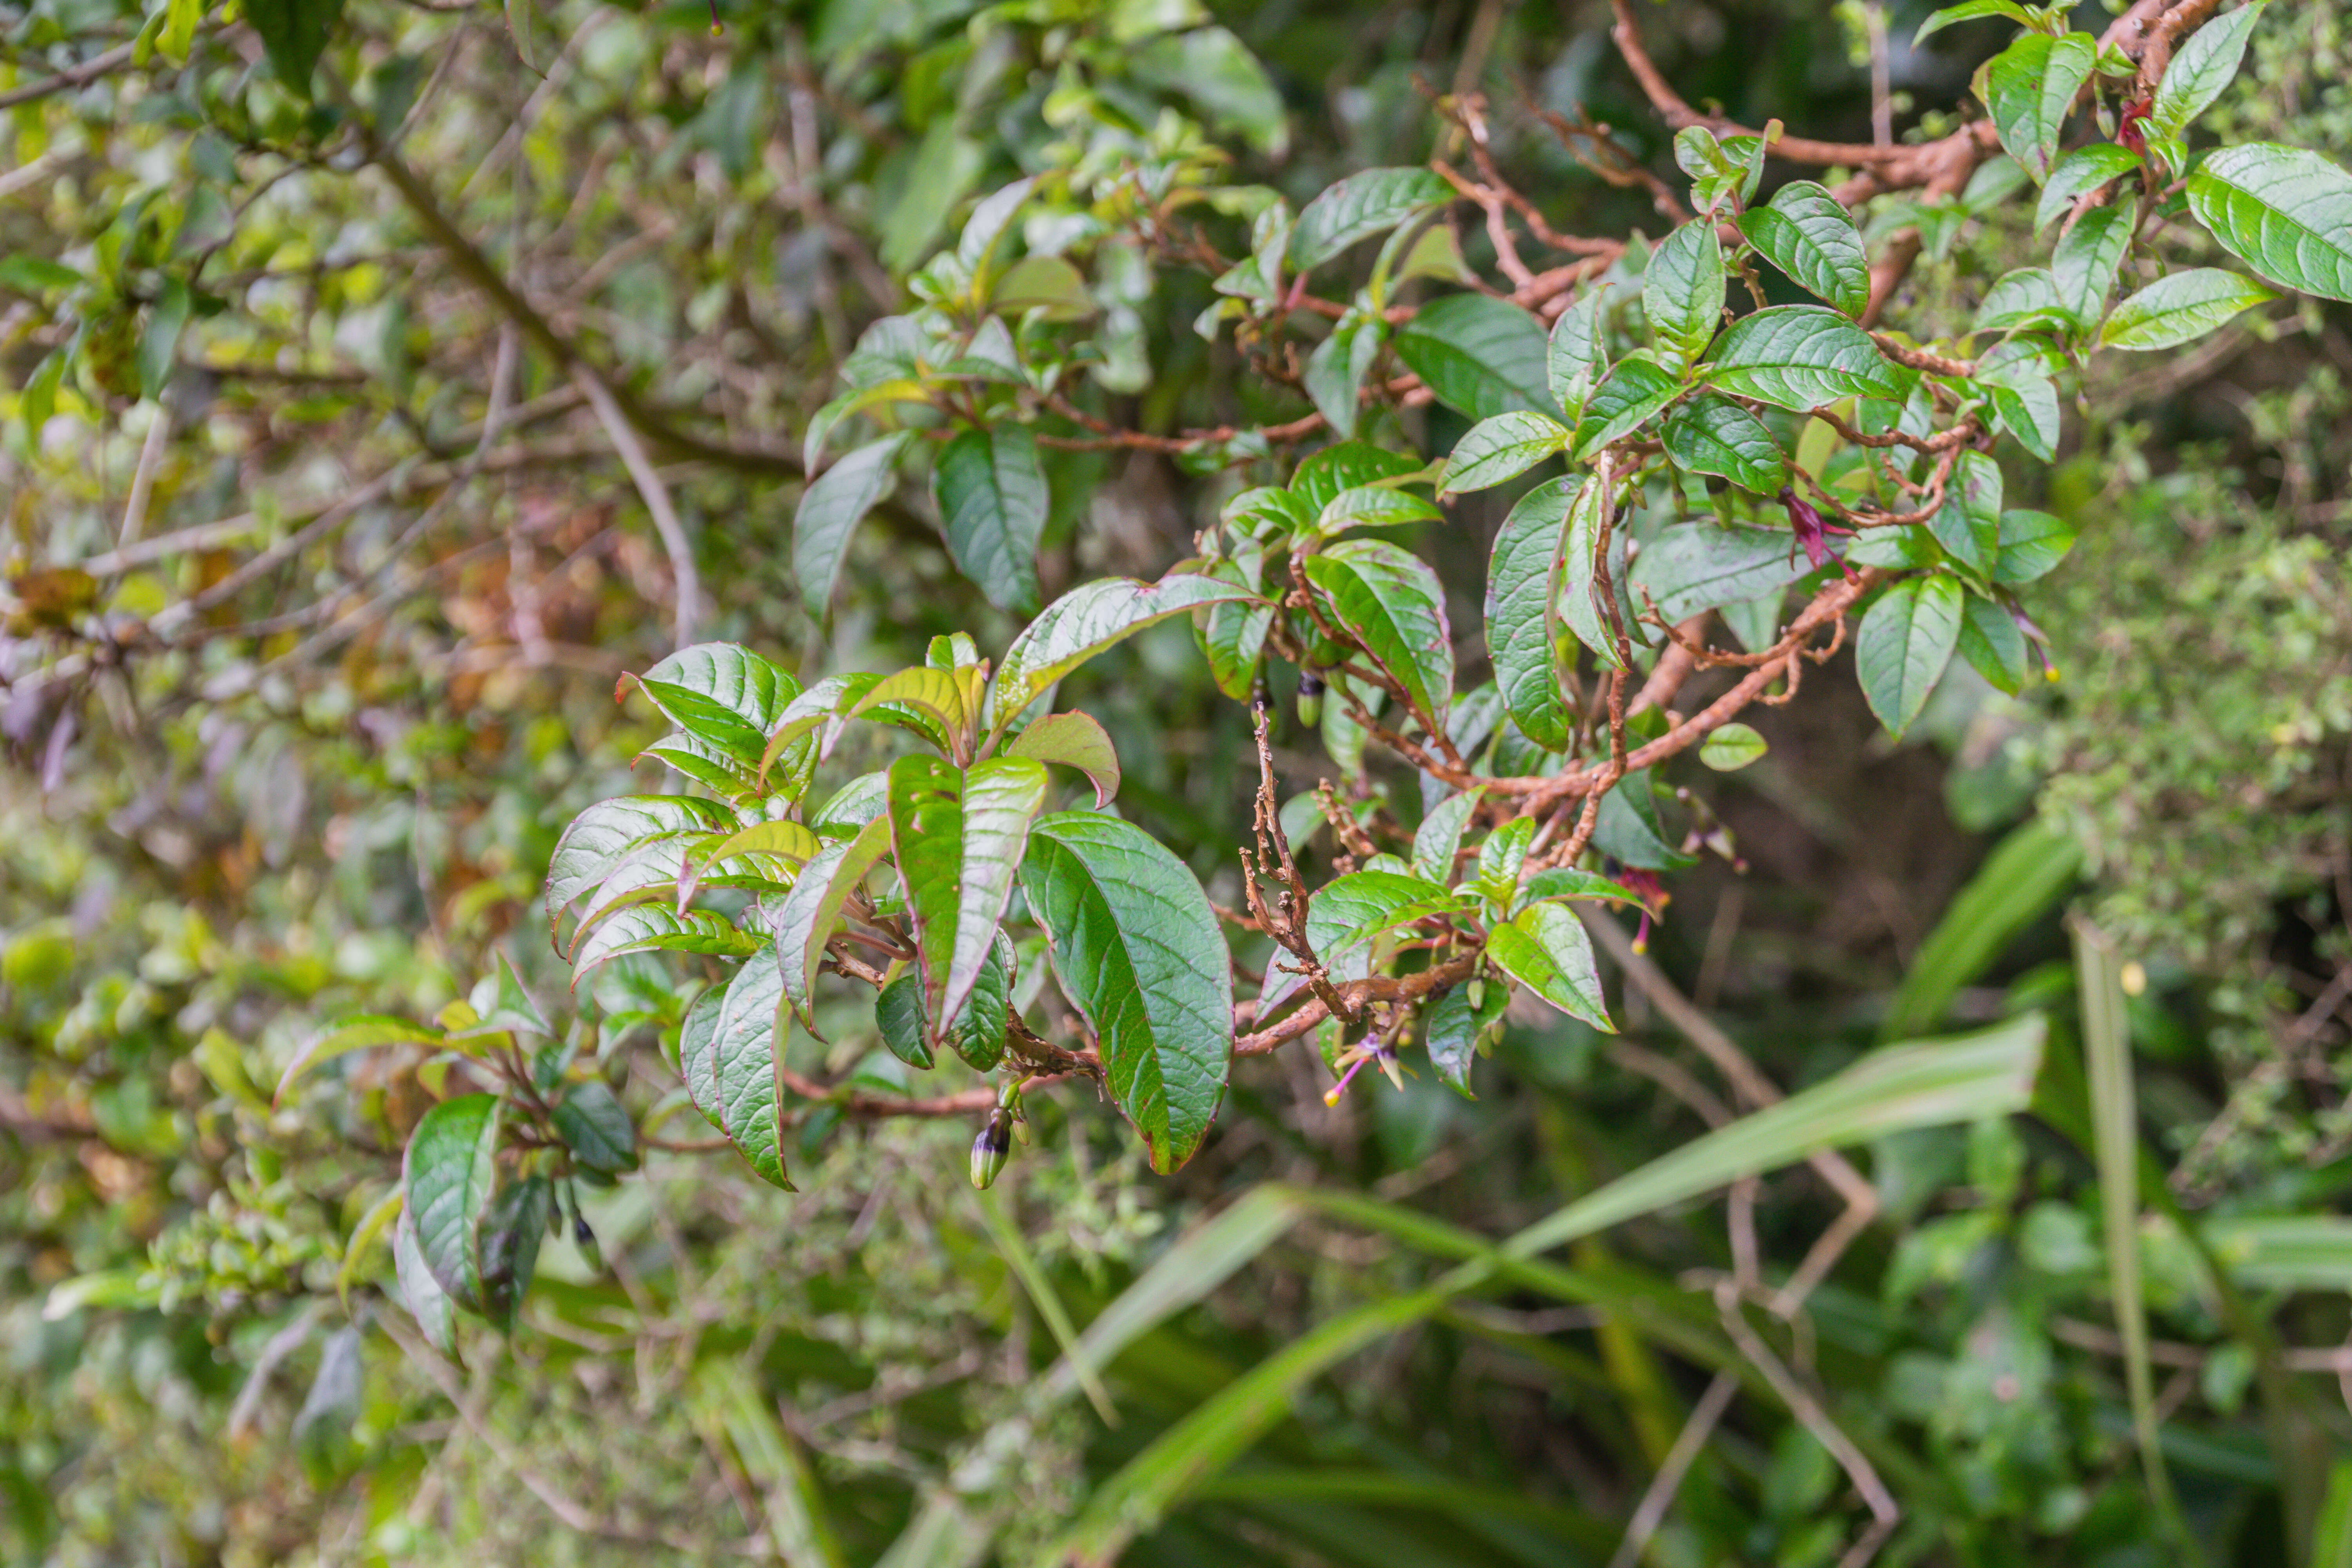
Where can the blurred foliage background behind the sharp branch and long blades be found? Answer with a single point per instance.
(302, 683)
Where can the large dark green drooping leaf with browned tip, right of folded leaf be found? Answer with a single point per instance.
(1140, 953)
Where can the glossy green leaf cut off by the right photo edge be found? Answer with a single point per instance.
(2285, 213)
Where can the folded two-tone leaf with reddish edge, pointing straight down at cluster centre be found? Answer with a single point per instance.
(958, 840)
